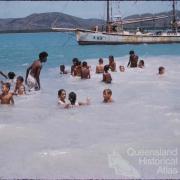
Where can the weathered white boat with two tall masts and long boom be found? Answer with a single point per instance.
(87, 37)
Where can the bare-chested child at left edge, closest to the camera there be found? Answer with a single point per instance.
(6, 97)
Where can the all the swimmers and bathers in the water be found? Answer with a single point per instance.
(82, 70)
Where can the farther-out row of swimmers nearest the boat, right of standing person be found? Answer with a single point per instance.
(82, 69)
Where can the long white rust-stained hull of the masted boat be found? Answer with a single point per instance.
(92, 38)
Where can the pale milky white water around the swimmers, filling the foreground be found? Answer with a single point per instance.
(38, 139)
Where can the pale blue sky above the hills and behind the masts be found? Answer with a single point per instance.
(83, 9)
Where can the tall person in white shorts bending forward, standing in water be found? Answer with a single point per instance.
(33, 72)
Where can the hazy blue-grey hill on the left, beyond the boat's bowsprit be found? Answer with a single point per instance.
(46, 21)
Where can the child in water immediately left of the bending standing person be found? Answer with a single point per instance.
(19, 88)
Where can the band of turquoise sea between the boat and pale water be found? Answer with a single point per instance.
(19, 50)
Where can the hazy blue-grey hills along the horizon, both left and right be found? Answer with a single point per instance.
(44, 21)
